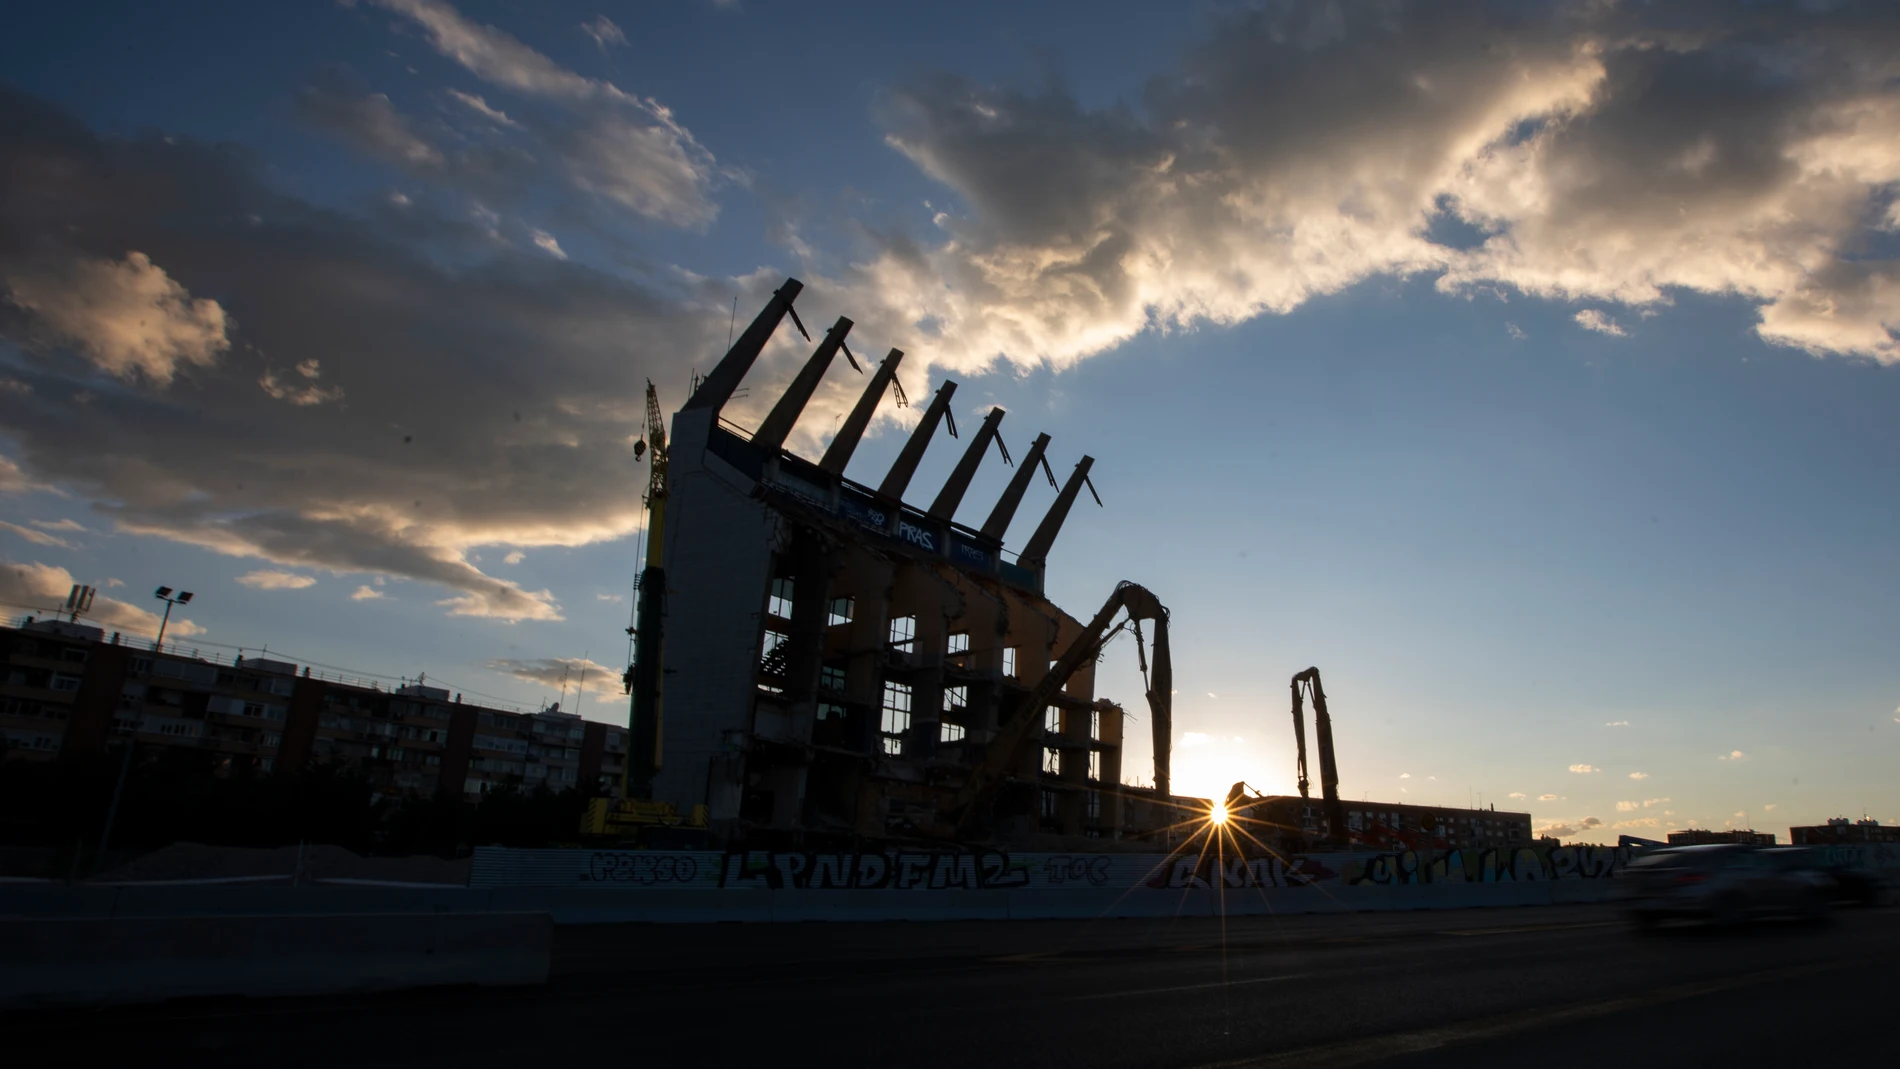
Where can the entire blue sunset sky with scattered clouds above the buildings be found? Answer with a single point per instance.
(1530, 369)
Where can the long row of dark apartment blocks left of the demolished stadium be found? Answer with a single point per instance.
(69, 688)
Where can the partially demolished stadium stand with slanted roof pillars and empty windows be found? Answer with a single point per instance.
(835, 658)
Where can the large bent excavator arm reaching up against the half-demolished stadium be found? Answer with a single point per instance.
(974, 802)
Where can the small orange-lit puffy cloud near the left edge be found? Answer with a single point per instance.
(126, 316)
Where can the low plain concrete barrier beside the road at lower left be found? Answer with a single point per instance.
(66, 962)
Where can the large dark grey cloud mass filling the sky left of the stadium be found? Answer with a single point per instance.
(535, 394)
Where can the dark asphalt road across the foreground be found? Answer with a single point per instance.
(1466, 988)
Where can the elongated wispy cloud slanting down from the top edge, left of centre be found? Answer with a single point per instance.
(620, 147)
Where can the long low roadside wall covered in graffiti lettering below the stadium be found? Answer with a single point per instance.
(993, 871)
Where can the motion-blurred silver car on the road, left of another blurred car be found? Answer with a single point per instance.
(1726, 886)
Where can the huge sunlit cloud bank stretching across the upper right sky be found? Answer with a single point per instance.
(1597, 153)
